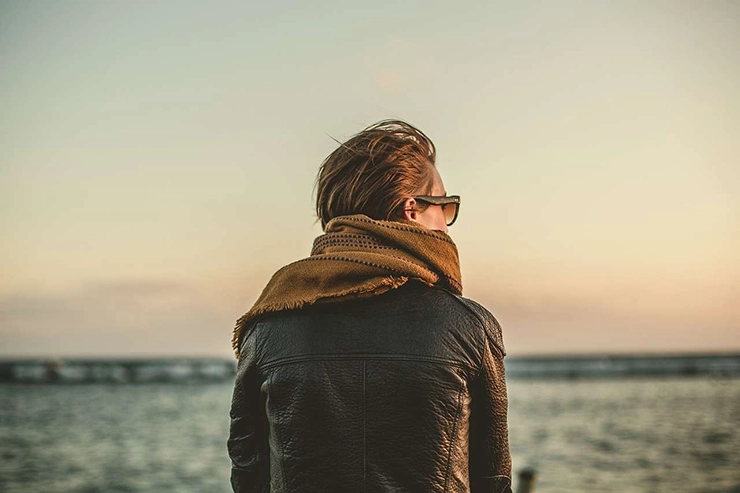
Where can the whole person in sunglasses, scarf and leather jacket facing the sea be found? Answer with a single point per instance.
(362, 368)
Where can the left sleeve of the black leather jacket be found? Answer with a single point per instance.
(248, 435)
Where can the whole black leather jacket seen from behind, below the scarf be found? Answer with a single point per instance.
(401, 392)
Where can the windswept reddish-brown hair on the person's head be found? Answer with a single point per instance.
(374, 171)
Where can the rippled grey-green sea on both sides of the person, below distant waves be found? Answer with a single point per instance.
(672, 435)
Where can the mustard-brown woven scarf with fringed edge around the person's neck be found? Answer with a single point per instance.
(358, 257)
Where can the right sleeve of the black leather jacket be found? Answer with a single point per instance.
(490, 459)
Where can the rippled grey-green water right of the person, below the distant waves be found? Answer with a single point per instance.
(674, 435)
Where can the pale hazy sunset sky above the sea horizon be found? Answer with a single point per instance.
(157, 163)
